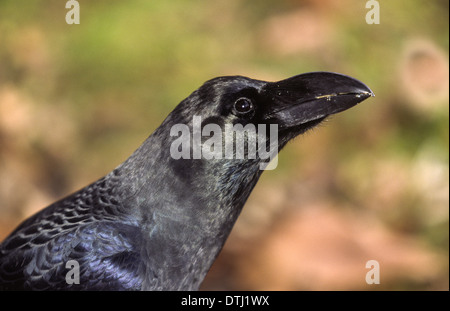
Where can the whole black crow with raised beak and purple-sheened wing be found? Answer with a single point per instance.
(159, 220)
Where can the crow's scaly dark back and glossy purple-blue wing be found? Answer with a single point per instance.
(89, 227)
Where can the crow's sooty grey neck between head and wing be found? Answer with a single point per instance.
(187, 207)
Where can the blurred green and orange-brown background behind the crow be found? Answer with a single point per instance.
(369, 184)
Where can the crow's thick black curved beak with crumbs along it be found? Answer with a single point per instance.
(312, 97)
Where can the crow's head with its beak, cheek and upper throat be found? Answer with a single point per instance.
(226, 132)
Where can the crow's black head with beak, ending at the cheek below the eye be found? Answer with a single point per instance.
(236, 105)
